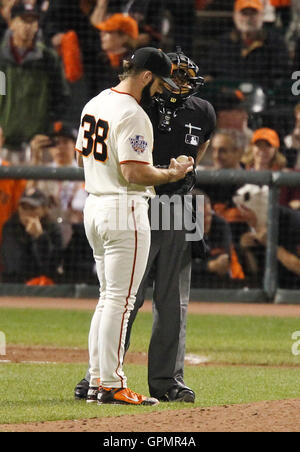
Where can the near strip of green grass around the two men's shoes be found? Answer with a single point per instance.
(45, 392)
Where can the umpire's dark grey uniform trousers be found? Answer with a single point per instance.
(170, 265)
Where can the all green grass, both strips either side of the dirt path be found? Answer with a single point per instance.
(39, 392)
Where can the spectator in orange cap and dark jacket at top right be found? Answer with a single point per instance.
(249, 53)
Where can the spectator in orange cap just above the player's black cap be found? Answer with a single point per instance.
(119, 34)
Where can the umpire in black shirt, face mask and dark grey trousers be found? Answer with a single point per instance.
(182, 124)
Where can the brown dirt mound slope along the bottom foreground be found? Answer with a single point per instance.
(272, 416)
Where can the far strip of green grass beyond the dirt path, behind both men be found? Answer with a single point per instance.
(228, 339)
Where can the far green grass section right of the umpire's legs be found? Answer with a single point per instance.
(247, 340)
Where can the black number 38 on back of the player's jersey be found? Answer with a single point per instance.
(95, 136)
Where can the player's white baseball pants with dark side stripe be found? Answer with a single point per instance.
(118, 230)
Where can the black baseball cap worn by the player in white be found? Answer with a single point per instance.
(156, 61)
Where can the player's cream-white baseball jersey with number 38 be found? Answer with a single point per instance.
(114, 129)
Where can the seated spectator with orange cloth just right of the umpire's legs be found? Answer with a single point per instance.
(221, 268)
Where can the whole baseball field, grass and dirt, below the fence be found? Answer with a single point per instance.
(243, 362)
